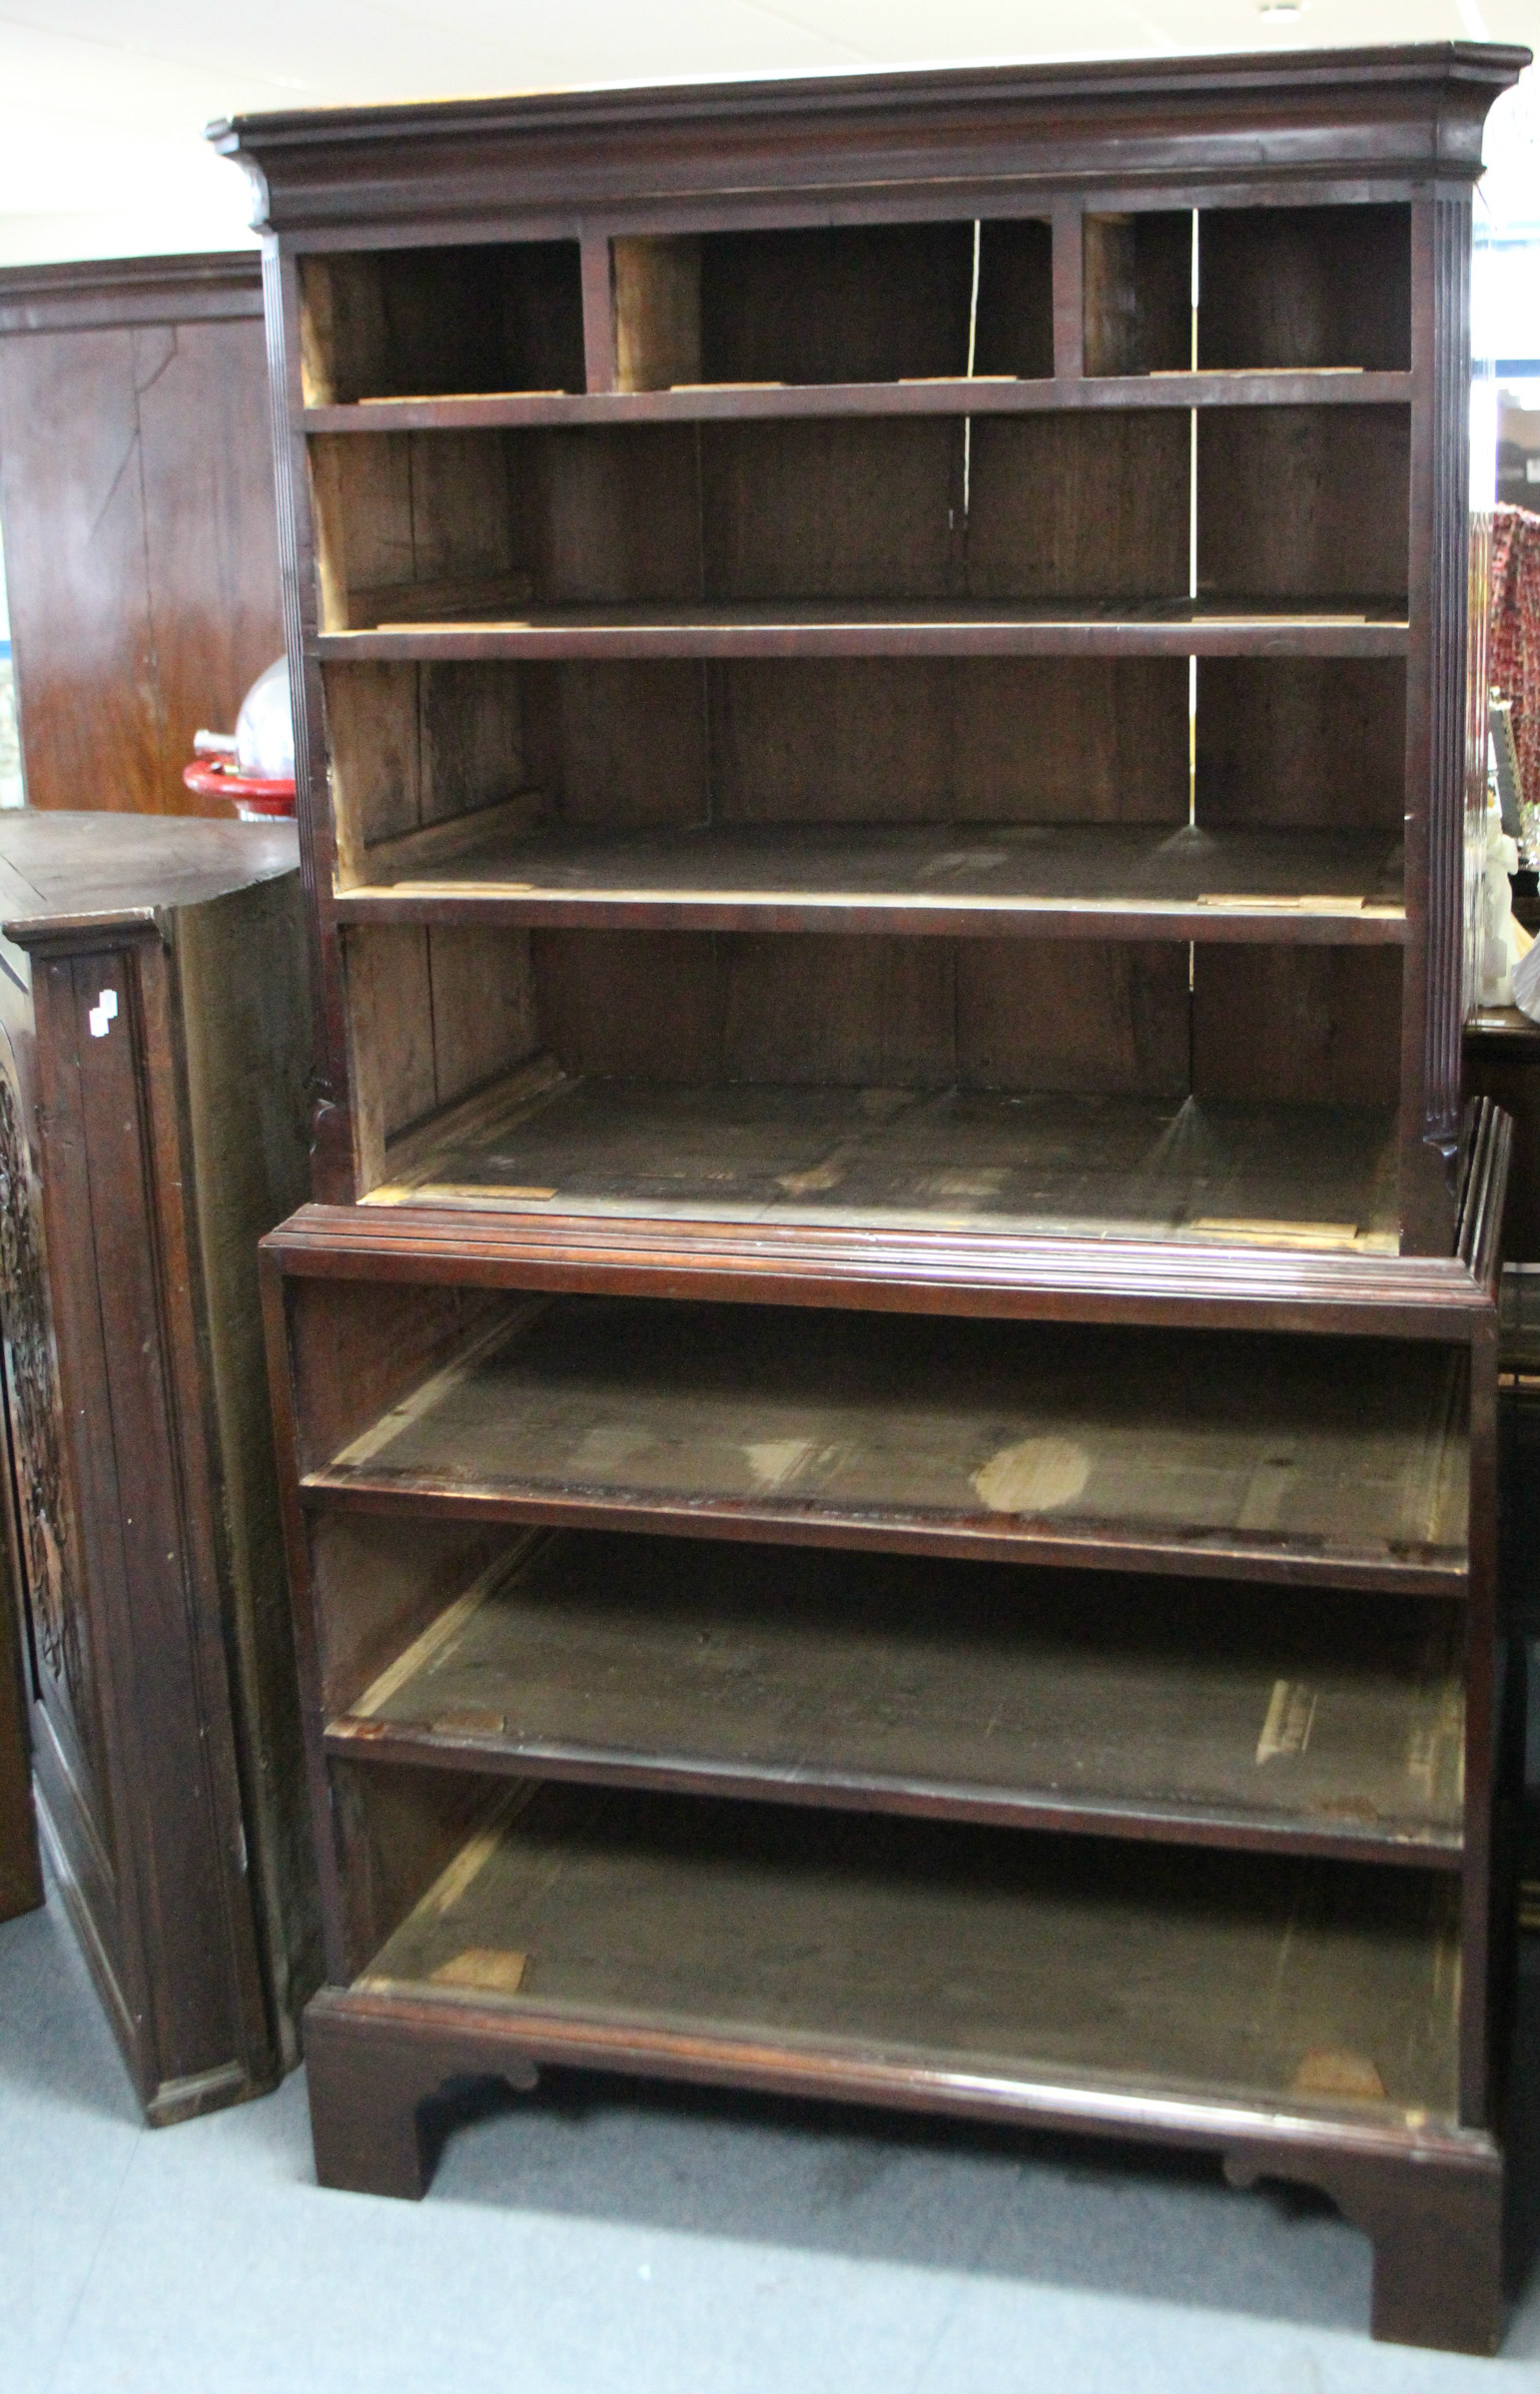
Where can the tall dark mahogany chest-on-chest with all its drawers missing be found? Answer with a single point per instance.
(890, 1397)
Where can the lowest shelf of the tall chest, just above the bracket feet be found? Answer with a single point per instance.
(1306, 1983)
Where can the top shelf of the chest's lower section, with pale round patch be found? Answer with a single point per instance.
(1007, 1442)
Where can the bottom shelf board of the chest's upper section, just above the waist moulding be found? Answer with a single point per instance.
(1295, 1177)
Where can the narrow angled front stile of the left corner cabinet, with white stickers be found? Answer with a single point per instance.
(193, 1919)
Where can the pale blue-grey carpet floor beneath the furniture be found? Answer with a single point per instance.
(610, 2240)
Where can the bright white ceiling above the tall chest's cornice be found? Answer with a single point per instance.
(104, 102)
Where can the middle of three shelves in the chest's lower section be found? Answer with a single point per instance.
(875, 1682)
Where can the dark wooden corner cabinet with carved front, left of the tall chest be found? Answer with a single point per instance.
(154, 1047)
